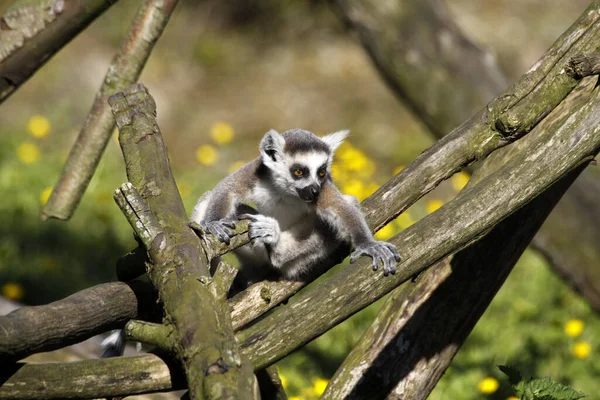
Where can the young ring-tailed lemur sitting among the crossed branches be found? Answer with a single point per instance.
(301, 219)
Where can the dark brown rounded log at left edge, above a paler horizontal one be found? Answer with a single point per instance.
(80, 316)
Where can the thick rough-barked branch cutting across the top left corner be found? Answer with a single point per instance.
(32, 32)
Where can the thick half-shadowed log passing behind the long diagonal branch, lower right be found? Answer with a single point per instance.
(403, 354)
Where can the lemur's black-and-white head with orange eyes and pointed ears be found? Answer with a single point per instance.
(300, 161)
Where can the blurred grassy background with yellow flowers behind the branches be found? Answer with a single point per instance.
(222, 75)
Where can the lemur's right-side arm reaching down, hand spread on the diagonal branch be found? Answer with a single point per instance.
(344, 211)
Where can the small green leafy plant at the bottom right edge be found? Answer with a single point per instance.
(539, 389)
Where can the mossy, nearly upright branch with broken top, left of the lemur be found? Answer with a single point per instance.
(202, 331)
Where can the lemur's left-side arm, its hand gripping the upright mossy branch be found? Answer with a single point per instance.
(215, 210)
